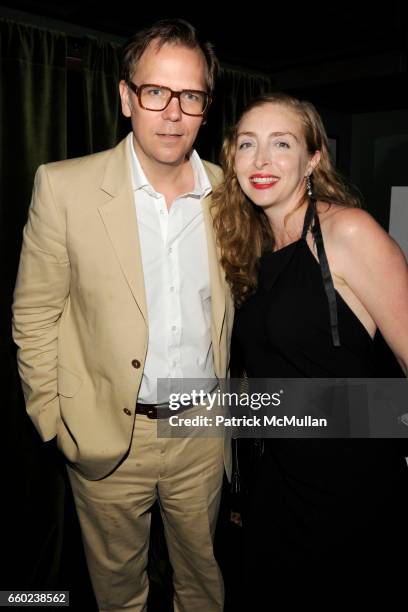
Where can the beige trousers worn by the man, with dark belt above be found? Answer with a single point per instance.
(185, 474)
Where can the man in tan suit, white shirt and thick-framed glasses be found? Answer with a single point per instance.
(120, 285)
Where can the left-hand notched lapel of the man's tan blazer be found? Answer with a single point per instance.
(119, 217)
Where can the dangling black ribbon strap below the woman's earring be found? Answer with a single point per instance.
(325, 270)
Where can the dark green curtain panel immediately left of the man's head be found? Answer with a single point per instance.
(104, 123)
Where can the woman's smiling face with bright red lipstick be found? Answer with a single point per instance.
(272, 159)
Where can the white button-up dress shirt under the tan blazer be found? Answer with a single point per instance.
(177, 285)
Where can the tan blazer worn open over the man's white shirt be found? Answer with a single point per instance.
(79, 313)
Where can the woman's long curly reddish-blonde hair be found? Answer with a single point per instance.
(242, 228)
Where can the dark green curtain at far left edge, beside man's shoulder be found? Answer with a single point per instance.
(33, 124)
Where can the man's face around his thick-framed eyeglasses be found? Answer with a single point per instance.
(164, 138)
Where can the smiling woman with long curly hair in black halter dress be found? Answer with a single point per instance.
(315, 281)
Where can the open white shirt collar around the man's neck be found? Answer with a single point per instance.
(202, 185)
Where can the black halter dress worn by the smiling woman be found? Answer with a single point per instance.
(319, 512)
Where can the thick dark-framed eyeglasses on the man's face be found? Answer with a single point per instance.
(157, 98)
